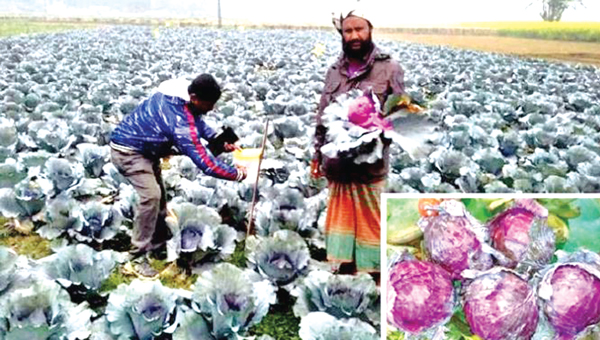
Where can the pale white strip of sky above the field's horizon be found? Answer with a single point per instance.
(382, 13)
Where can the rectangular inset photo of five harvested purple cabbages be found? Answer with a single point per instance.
(491, 268)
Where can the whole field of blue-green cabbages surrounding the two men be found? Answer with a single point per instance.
(504, 125)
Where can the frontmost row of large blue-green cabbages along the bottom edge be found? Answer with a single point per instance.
(62, 297)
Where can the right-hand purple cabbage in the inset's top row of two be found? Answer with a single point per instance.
(522, 235)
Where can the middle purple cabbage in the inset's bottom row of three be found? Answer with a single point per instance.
(499, 304)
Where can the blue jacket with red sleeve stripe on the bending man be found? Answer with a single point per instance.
(161, 123)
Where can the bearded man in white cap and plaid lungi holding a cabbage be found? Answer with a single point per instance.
(352, 225)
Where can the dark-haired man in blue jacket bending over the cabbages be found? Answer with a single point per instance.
(170, 118)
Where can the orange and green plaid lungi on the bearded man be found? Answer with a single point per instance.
(353, 224)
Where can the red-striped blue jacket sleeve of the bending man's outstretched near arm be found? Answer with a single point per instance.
(187, 141)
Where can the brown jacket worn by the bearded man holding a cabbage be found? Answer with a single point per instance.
(385, 76)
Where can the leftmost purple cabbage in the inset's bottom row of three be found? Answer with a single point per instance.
(420, 296)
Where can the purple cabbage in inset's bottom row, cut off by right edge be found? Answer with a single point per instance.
(570, 294)
